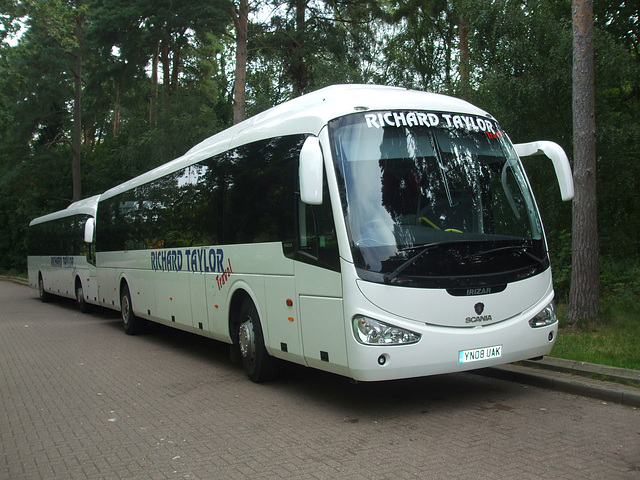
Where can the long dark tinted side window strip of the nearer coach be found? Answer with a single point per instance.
(242, 196)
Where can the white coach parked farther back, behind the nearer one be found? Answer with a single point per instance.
(59, 260)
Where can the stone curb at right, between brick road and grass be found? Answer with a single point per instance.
(569, 376)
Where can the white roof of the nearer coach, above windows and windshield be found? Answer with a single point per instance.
(307, 114)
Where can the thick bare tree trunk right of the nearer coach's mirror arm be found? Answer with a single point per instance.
(584, 295)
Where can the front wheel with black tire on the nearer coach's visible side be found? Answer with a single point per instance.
(259, 365)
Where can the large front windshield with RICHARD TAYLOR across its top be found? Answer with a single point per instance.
(435, 199)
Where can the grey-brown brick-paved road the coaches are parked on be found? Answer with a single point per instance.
(80, 399)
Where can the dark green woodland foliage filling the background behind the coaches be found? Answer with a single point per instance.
(520, 71)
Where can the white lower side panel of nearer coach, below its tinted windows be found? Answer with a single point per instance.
(310, 332)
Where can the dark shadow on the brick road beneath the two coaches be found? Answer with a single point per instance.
(325, 389)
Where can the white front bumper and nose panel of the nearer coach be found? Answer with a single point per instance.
(439, 347)
